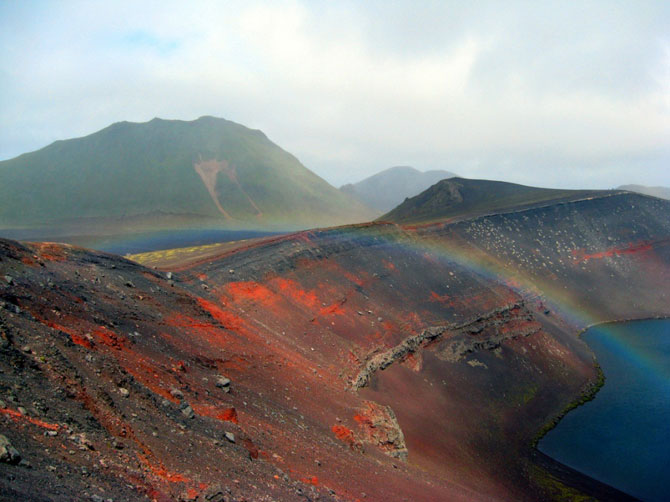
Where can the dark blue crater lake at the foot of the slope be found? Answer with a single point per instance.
(622, 437)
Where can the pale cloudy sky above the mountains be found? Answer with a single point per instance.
(557, 94)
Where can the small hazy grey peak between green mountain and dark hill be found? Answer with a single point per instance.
(385, 190)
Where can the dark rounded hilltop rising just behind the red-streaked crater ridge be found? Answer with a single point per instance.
(460, 197)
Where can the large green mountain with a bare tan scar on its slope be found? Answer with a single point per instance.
(209, 172)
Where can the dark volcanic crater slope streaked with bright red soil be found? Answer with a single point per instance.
(358, 363)
